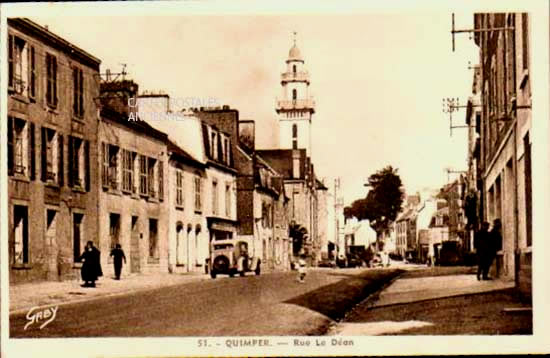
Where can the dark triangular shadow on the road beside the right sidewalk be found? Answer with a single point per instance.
(336, 299)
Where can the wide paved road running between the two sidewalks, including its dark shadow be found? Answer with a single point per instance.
(271, 304)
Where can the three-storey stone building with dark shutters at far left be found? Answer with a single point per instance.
(52, 153)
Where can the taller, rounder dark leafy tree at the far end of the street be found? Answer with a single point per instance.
(384, 199)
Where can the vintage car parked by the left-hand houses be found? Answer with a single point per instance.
(230, 257)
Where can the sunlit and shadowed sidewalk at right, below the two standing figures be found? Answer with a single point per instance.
(448, 304)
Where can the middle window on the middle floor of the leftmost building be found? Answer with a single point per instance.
(52, 159)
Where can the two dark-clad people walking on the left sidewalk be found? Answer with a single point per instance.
(91, 264)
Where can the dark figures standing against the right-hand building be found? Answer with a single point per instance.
(487, 244)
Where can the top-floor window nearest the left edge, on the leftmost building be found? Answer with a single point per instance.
(17, 64)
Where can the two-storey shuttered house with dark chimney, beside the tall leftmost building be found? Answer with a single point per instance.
(133, 167)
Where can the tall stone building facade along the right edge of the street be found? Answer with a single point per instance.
(505, 138)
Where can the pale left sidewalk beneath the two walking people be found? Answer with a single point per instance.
(25, 296)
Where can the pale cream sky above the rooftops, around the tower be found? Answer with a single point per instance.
(378, 79)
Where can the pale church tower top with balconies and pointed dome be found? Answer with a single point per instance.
(296, 107)
